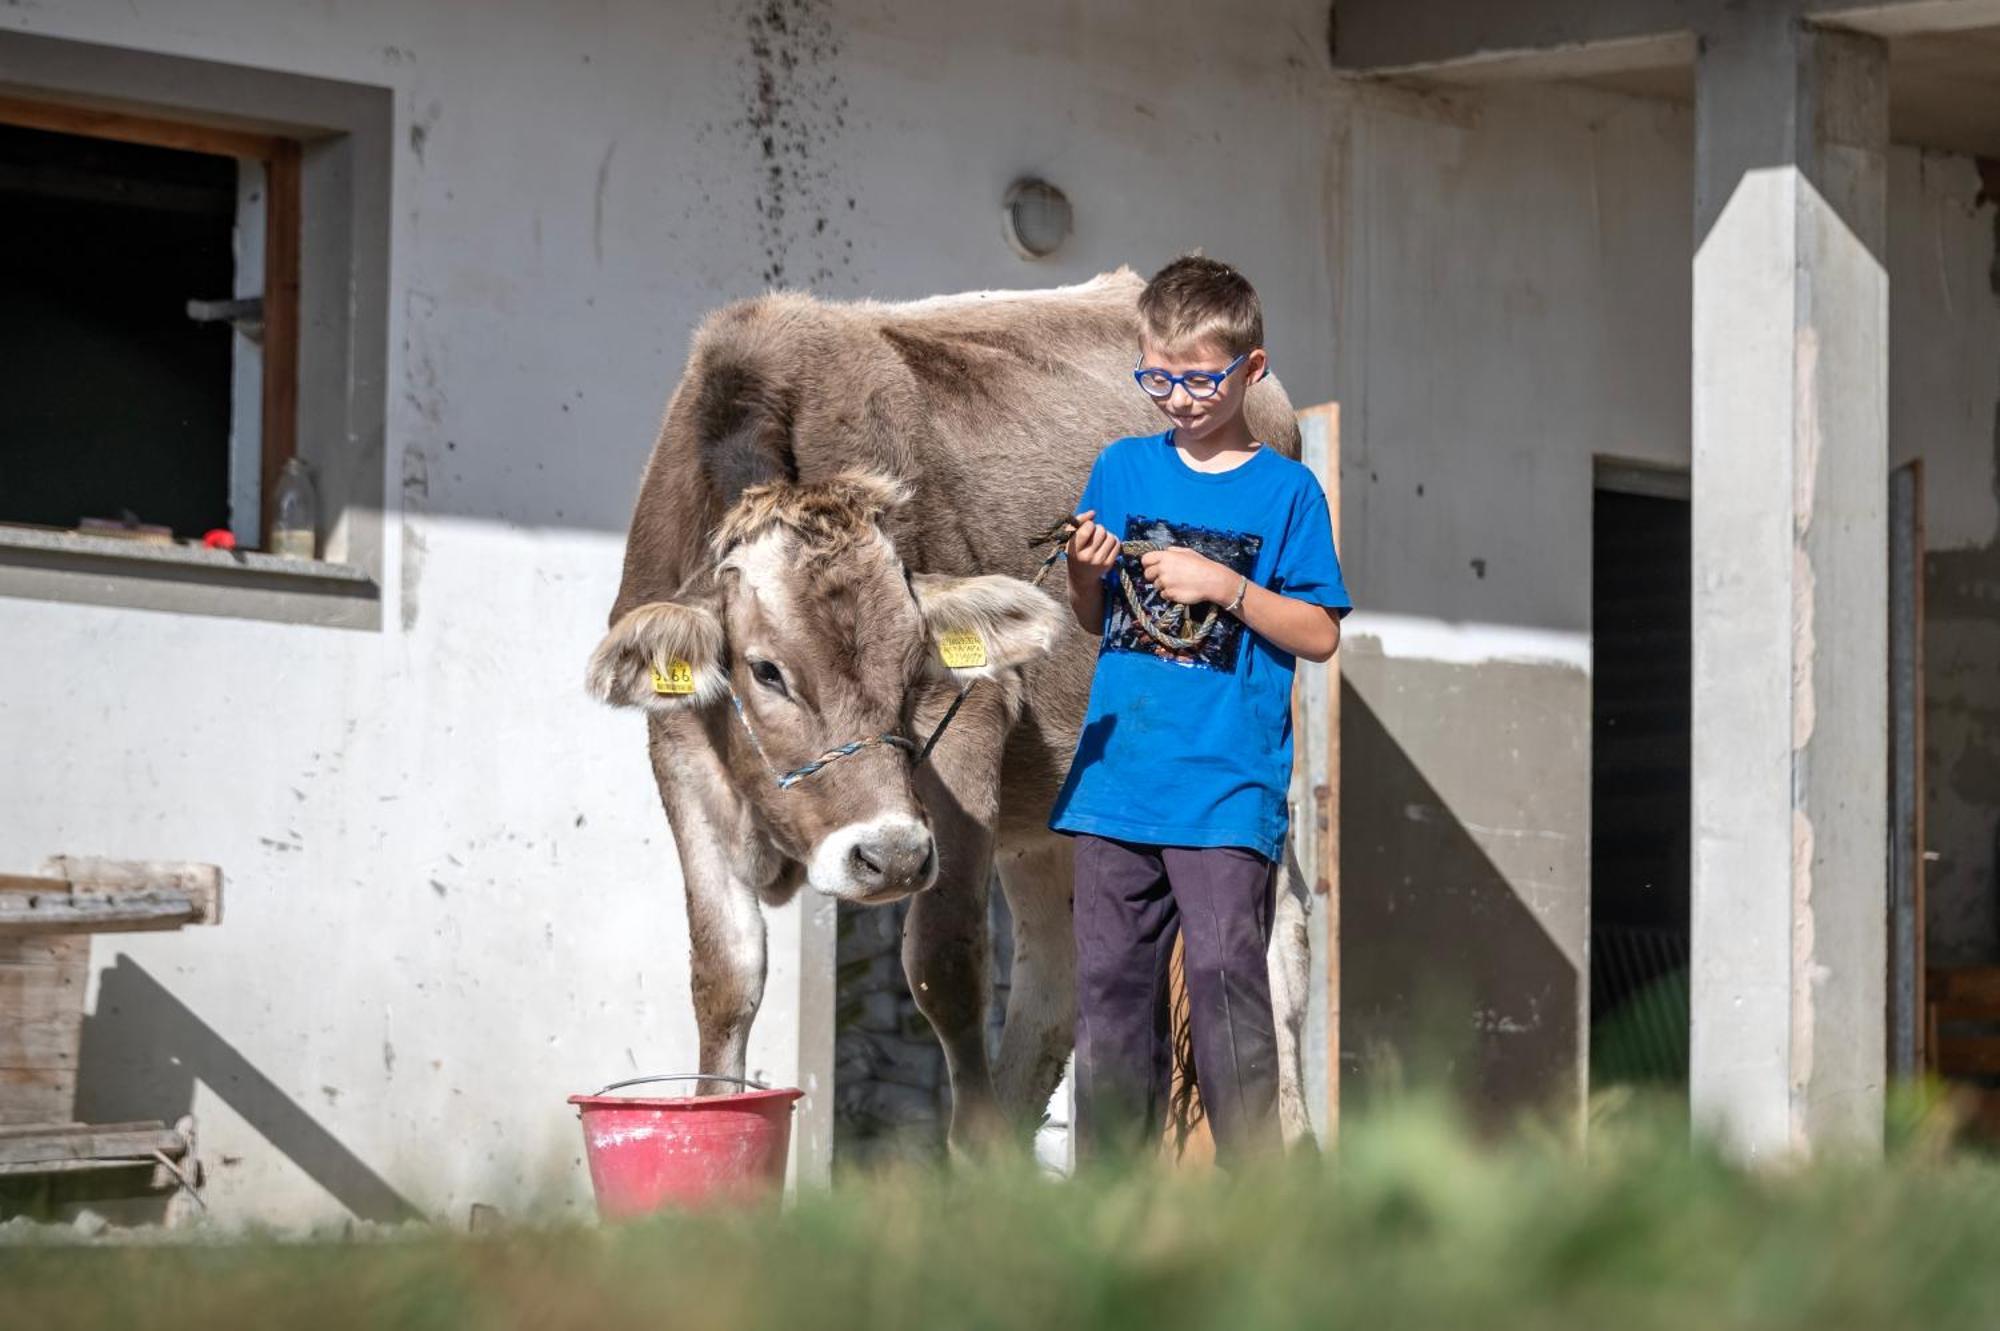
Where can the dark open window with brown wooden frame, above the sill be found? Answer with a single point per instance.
(149, 335)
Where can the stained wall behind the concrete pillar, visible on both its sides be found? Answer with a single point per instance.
(1515, 297)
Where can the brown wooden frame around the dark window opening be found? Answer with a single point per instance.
(281, 157)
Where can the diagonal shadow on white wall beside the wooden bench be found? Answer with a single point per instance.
(145, 1050)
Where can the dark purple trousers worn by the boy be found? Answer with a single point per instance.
(1131, 902)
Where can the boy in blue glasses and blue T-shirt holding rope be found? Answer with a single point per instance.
(1207, 565)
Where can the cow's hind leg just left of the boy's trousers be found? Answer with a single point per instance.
(1041, 1008)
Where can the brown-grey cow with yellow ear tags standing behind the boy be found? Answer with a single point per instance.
(837, 495)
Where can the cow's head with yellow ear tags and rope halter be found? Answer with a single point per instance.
(823, 637)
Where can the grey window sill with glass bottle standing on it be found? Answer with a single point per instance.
(103, 571)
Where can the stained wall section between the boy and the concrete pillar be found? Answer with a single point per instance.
(1515, 297)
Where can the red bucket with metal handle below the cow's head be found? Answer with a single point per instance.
(649, 1154)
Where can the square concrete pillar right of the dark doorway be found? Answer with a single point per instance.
(1791, 539)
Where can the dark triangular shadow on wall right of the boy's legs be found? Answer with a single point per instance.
(1447, 976)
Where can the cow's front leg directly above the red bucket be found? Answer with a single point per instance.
(723, 864)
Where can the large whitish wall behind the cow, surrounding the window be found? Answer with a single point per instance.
(453, 896)
